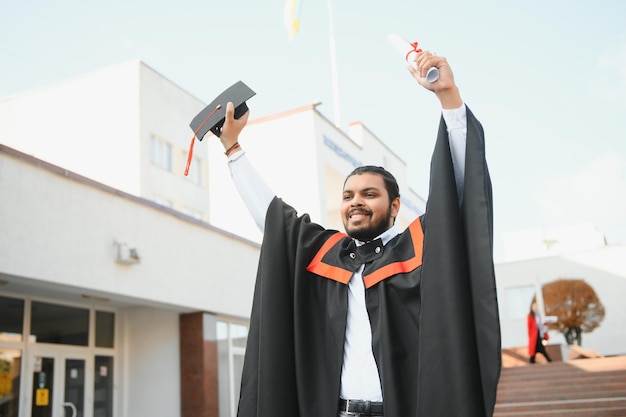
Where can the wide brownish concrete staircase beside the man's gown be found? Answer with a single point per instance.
(577, 388)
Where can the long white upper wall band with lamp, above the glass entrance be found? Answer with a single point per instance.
(59, 229)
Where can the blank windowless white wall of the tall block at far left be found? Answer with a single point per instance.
(88, 124)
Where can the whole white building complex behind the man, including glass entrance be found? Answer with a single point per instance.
(126, 287)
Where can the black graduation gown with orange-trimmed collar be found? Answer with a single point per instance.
(430, 295)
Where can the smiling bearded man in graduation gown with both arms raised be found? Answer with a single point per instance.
(374, 321)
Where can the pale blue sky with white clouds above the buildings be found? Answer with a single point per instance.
(547, 80)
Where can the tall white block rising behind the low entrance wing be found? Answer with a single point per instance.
(125, 126)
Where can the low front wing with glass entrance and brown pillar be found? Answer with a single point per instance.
(96, 288)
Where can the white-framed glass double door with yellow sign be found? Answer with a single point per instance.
(58, 382)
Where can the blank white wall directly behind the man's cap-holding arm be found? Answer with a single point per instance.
(283, 153)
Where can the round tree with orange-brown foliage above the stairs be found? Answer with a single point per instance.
(576, 306)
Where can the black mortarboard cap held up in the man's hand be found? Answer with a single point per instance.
(211, 119)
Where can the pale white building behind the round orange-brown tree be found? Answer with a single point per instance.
(569, 252)
